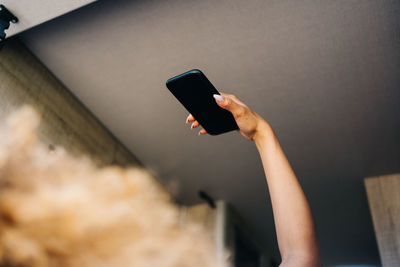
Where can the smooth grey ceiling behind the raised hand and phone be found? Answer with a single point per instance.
(325, 74)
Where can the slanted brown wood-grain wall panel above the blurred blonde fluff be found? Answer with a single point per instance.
(65, 121)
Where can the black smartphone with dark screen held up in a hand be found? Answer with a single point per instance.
(195, 92)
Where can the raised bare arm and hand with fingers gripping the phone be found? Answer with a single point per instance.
(294, 224)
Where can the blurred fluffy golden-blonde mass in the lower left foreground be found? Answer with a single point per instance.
(57, 210)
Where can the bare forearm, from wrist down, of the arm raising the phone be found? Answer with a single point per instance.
(294, 224)
